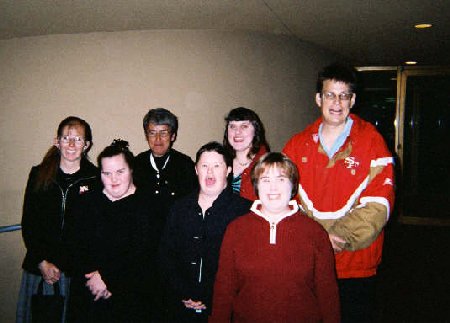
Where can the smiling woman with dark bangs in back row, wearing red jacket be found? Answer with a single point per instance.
(245, 139)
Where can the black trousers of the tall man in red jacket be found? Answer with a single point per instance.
(358, 299)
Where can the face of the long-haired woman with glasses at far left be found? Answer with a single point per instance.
(71, 143)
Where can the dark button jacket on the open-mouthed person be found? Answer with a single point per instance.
(190, 244)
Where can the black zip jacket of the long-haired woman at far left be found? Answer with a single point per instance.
(47, 217)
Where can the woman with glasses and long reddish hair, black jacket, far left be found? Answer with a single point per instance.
(54, 188)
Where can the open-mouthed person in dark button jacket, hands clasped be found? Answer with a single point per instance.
(190, 245)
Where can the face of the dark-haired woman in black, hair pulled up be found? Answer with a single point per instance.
(116, 176)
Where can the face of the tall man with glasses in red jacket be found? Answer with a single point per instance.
(335, 102)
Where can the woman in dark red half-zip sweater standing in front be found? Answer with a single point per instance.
(276, 264)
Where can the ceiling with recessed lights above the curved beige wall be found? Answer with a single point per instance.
(367, 32)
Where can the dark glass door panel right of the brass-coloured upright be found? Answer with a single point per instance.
(426, 146)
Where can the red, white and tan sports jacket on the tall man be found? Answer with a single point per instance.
(351, 194)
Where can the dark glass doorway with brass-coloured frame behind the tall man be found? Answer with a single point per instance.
(410, 107)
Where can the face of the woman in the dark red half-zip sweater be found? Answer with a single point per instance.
(274, 190)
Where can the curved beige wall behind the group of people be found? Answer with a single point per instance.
(112, 79)
